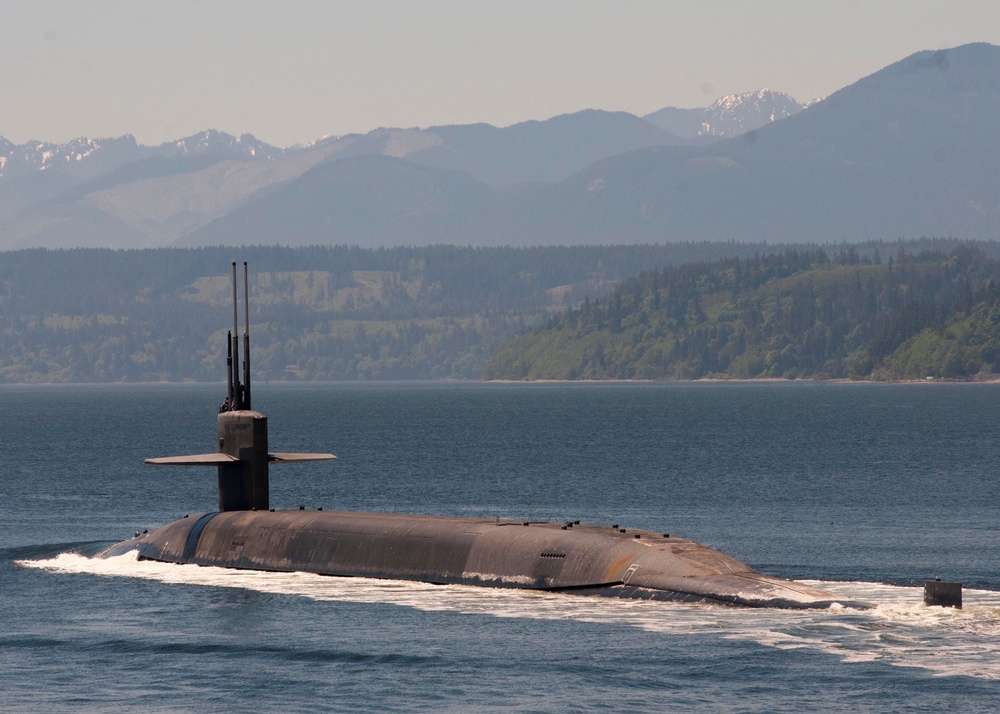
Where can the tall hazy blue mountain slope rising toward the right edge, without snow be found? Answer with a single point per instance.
(909, 151)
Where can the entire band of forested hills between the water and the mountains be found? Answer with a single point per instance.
(442, 312)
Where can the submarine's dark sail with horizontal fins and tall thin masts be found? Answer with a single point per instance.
(242, 457)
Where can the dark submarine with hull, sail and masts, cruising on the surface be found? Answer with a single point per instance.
(562, 557)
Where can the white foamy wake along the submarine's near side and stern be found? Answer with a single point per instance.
(900, 630)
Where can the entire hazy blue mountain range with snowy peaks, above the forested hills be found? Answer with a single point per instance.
(909, 151)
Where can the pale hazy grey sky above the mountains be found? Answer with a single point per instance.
(293, 71)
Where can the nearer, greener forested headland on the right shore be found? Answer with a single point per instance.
(812, 314)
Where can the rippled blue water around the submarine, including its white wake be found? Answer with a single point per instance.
(869, 489)
